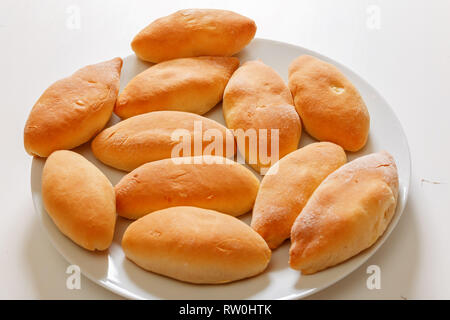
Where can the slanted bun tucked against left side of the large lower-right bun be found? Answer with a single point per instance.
(282, 195)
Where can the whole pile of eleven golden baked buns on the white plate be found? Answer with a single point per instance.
(185, 207)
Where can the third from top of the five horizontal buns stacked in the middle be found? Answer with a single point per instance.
(148, 137)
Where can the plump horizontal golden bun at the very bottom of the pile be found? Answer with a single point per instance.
(196, 245)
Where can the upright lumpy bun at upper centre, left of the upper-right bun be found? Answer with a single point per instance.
(256, 100)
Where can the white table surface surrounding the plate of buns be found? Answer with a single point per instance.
(405, 55)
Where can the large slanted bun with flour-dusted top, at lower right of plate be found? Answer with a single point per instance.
(346, 214)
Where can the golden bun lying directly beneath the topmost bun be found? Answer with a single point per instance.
(190, 84)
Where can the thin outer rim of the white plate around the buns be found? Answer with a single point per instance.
(110, 286)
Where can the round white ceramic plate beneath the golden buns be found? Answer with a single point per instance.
(113, 271)
